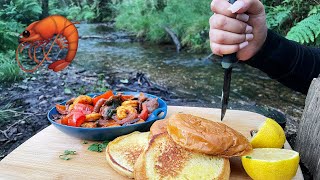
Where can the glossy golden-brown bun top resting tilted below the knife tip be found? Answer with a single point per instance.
(204, 136)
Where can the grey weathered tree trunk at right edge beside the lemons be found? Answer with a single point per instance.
(308, 136)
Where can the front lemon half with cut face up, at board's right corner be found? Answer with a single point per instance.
(271, 163)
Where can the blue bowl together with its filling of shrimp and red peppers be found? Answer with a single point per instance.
(105, 116)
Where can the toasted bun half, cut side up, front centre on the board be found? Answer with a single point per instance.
(164, 159)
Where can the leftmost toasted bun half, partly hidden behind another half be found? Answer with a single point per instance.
(122, 152)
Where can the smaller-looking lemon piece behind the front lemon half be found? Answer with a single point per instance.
(270, 135)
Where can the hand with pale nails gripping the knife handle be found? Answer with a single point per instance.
(240, 28)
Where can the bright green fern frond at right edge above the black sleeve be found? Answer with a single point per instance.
(306, 31)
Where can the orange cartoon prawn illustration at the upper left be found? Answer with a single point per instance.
(40, 33)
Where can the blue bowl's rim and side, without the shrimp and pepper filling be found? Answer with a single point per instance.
(109, 133)
